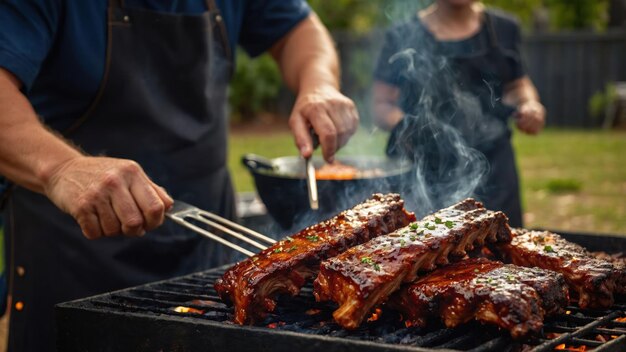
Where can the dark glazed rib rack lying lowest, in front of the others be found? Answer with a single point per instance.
(512, 297)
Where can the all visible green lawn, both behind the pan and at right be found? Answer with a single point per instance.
(571, 179)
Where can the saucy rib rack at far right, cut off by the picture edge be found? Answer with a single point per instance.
(593, 281)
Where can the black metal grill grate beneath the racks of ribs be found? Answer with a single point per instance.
(305, 316)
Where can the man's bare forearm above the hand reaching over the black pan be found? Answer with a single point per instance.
(306, 56)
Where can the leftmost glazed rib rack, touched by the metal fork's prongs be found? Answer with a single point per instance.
(252, 285)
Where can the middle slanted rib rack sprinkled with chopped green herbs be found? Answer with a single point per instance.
(364, 276)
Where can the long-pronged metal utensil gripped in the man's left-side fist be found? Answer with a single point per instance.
(189, 216)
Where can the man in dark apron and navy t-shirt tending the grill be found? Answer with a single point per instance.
(109, 110)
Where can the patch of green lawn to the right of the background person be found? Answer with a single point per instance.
(574, 180)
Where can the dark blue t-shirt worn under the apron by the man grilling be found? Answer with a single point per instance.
(57, 47)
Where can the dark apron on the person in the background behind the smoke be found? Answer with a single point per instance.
(475, 87)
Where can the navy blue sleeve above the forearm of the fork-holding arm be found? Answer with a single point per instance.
(27, 31)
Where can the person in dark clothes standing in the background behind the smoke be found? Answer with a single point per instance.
(459, 64)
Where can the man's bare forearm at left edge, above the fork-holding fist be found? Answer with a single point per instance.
(29, 153)
